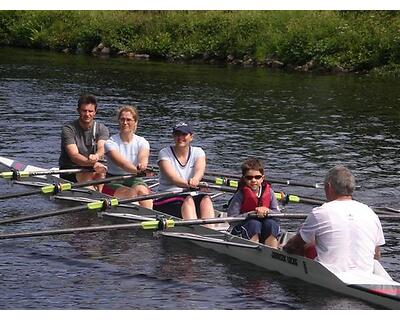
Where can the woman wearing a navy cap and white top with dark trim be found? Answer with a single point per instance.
(182, 166)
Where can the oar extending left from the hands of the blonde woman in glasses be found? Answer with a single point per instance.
(58, 187)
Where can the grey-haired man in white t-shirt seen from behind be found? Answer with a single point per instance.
(346, 233)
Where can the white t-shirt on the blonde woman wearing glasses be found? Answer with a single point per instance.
(129, 151)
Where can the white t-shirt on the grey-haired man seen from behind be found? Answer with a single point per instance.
(345, 233)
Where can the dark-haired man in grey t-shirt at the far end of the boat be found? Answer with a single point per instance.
(82, 142)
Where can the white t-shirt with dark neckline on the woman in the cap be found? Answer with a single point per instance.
(186, 171)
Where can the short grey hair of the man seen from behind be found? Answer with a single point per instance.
(341, 180)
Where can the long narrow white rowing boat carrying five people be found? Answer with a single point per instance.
(377, 288)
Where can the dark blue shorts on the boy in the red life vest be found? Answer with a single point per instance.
(263, 227)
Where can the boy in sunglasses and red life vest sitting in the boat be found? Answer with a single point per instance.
(255, 194)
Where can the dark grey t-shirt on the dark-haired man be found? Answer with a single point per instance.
(73, 133)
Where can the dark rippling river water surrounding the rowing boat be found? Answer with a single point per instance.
(299, 124)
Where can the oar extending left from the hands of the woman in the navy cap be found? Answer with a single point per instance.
(95, 205)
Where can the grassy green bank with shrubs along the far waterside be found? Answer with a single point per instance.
(303, 40)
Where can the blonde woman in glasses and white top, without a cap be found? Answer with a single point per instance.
(127, 153)
